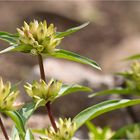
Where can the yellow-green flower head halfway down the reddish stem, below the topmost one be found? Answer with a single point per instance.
(41, 90)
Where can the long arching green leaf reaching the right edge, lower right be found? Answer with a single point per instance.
(101, 108)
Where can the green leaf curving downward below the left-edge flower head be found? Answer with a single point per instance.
(15, 116)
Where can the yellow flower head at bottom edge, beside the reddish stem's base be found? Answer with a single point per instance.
(66, 130)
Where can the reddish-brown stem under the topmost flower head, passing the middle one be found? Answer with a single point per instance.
(48, 106)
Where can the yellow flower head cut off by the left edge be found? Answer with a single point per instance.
(7, 97)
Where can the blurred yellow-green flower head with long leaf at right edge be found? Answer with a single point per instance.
(131, 82)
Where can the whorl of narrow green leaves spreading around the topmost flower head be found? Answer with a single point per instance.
(57, 53)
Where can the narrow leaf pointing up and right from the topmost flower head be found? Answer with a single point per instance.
(71, 30)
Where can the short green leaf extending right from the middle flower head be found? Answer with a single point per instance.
(67, 89)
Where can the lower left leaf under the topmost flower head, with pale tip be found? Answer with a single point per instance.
(17, 48)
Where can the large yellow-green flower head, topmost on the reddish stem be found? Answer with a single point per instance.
(39, 37)
